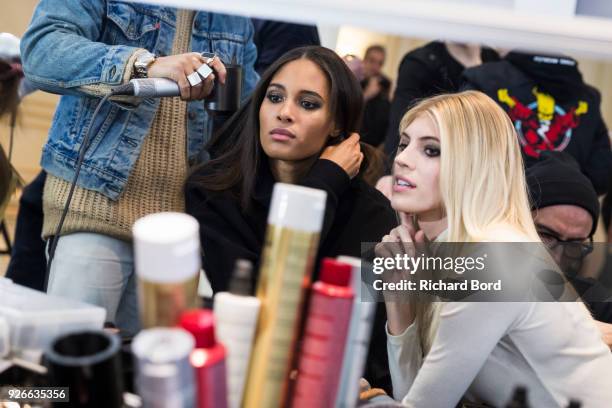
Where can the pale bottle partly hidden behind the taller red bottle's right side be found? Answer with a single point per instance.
(357, 341)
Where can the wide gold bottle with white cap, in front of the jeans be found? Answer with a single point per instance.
(167, 261)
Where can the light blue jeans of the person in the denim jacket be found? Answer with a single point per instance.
(97, 269)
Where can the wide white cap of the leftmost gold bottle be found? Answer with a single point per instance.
(167, 247)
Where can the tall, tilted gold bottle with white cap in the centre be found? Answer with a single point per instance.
(292, 240)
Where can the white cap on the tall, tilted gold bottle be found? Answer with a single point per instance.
(297, 207)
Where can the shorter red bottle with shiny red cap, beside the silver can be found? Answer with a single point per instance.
(208, 359)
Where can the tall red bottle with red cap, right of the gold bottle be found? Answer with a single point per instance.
(326, 328)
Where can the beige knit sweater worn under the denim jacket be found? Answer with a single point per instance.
(154, 185)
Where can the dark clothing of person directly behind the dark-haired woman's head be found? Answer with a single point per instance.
(275, 38)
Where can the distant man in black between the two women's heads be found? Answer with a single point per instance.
(376, 87)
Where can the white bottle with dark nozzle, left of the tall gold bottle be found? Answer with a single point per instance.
(236, 314)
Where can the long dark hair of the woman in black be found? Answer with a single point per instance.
(236, 151)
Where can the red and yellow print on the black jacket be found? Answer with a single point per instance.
(542, 124)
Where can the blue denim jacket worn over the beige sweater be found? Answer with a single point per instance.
(73, 44)
